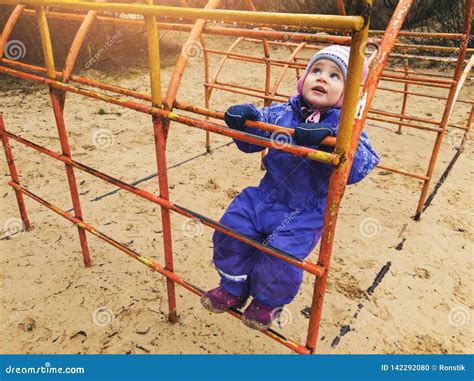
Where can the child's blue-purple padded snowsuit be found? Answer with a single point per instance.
(285, 211)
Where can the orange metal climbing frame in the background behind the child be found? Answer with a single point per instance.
(298, 43)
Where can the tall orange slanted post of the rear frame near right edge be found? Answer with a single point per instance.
(448, 107)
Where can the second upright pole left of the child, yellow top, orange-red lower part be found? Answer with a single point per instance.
(57, 100)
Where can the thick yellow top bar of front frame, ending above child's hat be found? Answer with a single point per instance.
(321, 21)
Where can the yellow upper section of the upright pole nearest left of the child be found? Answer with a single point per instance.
(153, 58)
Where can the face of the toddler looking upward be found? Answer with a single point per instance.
(323, 85)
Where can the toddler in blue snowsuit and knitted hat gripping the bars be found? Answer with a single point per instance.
(286, 210)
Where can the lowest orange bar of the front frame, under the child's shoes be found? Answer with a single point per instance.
(293, 345)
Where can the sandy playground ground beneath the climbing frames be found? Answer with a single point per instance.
(50, 303)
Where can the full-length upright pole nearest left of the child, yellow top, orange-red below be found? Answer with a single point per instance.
(159, 124)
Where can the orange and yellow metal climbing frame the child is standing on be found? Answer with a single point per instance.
(162, 110)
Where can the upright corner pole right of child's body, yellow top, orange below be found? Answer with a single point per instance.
(339, 175)
